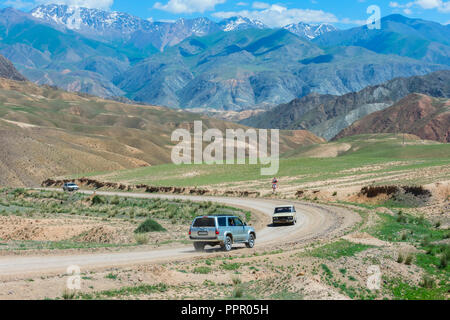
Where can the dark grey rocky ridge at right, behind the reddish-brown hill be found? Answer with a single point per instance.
(327, 115)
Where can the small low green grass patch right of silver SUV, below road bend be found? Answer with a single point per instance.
(341, 248)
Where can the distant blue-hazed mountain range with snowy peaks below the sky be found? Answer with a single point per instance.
(236, 64)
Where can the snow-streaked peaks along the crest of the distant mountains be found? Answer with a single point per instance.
(141, 33)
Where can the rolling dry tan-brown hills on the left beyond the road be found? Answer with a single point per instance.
(45, 132)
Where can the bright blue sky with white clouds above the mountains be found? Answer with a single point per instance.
(342, 13)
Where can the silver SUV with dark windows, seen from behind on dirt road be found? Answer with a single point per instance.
(221, 231)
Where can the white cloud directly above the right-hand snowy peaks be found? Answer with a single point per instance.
(279, 16)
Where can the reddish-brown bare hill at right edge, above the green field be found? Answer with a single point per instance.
(418, 114)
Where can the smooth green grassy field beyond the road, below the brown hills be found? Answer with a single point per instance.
(374, 154)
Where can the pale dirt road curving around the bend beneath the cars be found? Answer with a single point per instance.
(314, 222)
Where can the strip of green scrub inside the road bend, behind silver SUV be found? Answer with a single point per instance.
(43, 203)
